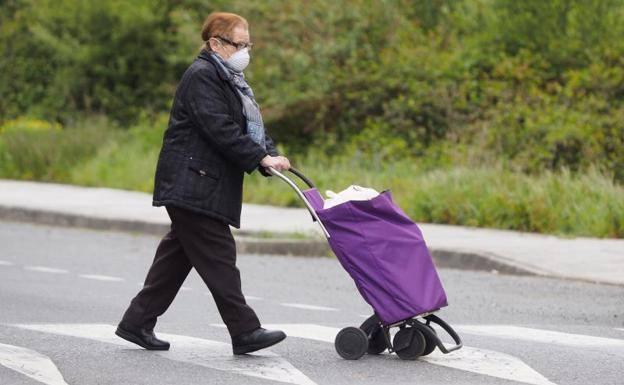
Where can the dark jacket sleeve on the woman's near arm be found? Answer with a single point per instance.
(210, 112)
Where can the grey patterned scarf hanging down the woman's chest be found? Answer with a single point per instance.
(251, 110)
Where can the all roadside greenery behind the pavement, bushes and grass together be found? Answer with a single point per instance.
(493, 113)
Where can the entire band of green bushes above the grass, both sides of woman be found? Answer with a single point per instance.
(535, 85)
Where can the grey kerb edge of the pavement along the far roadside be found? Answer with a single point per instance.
(248, 244)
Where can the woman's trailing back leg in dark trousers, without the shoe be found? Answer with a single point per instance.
(164, 278)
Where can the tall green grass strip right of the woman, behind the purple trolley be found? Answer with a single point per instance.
(554, 203)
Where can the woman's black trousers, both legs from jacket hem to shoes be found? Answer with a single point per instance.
(206, 244)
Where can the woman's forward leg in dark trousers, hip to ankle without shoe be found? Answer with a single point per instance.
(210, 247)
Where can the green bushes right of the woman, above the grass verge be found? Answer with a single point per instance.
(534, 86)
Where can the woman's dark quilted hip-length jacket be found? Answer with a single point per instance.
(205, 149)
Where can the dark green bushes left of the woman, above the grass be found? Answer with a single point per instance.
(111, 57)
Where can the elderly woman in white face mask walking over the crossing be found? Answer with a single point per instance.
(215, 134)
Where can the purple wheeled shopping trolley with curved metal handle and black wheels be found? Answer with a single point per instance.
(384, 252)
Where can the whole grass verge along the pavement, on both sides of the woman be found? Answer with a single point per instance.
(562, 203)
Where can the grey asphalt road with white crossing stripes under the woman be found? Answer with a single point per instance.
(62, 292)
